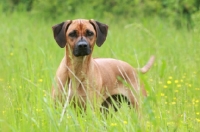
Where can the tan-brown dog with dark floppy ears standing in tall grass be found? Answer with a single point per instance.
(87, 80)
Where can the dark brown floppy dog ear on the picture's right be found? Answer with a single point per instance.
(101, 31)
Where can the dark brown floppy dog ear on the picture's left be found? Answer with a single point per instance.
(59, 31)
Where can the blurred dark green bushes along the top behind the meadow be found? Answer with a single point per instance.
(110, 10)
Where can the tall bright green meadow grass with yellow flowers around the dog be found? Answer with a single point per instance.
(30, 56)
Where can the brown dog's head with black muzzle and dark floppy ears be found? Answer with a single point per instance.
(80, 35)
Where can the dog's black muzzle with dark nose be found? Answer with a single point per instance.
(81, 48)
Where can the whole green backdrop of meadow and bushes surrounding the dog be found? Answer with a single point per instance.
(29, 57)
